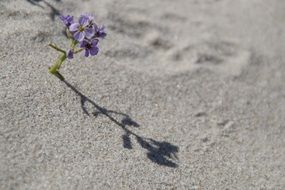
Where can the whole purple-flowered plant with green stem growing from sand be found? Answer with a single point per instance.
(84, 35)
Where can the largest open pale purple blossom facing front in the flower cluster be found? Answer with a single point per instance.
(82, 29)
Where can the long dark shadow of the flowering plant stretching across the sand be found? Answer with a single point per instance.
(162, 153)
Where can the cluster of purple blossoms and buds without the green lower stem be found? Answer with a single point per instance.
(86, 32)
